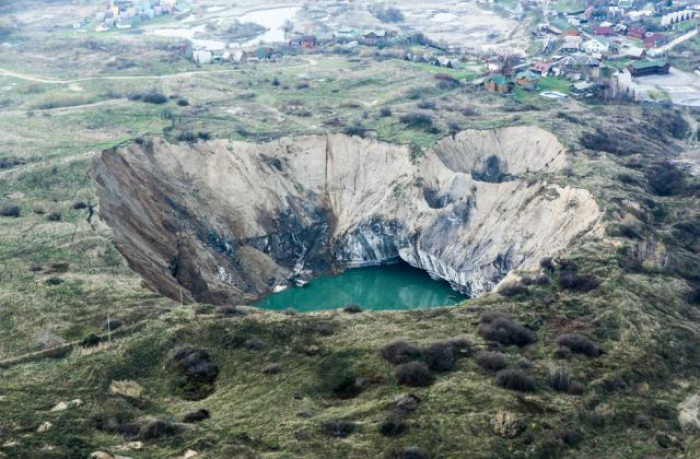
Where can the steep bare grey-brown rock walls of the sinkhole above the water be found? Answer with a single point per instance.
(225, 222)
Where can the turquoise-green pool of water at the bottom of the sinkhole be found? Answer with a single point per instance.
(392, 287)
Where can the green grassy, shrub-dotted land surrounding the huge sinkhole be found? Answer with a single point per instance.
(630, 290)
